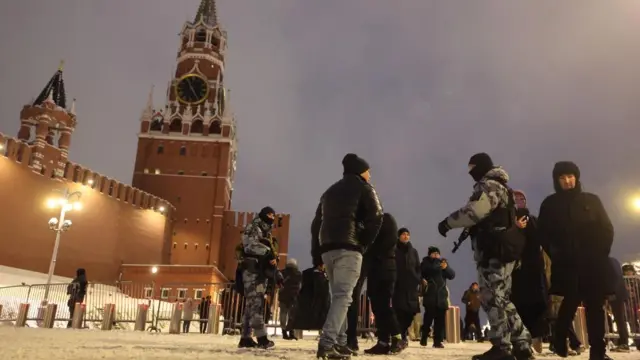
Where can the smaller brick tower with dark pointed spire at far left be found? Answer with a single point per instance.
(46, 126)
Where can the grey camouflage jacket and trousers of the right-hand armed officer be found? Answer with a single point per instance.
(494, 277)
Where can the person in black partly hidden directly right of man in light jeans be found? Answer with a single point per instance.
(380, 262)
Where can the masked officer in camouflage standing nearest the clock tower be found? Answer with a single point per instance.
(259, 261)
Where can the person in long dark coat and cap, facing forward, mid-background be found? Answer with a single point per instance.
(405, 297)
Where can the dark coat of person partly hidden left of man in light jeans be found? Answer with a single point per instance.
(314, 300)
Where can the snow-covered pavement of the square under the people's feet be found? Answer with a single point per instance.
(61, 344)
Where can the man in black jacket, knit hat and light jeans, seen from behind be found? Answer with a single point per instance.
(347, 222)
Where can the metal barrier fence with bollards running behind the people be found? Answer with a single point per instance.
(154, 307)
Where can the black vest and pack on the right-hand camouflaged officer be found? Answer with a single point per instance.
(505, 245)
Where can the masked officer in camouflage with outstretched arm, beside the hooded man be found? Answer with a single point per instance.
(496, 242)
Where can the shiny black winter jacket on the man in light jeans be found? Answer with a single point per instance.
(348, 217)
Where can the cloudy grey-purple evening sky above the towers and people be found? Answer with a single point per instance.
(413, 86)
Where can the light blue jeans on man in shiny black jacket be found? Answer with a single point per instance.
(343, 271)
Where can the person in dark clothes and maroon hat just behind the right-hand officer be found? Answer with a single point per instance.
(529, 289)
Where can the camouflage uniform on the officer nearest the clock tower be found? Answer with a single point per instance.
(255, 282)
